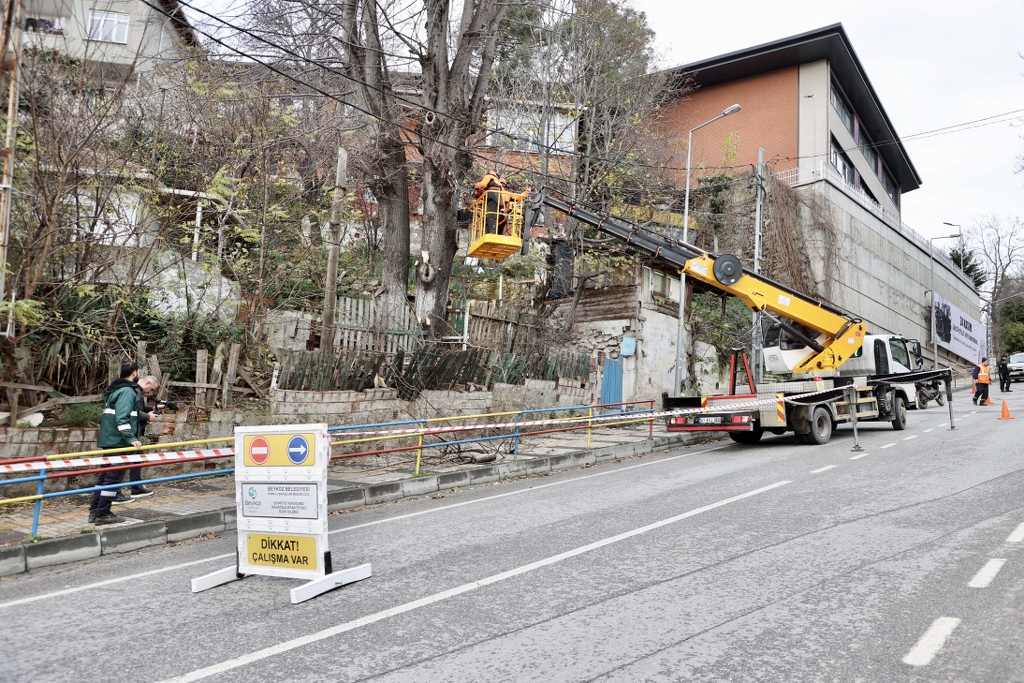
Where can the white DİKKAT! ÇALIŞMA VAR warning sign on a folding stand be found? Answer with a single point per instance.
(281, 495)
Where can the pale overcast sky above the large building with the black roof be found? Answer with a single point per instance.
(933, 64)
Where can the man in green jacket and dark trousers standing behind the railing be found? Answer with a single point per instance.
(118, 430)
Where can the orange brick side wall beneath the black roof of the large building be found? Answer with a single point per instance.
(770, 119)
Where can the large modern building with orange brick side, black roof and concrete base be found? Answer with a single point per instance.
(808, 103)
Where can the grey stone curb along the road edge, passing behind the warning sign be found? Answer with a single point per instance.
(21, 559)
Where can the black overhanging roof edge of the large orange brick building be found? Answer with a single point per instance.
(830, 44)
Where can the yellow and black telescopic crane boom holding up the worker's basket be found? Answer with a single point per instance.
(840, 333)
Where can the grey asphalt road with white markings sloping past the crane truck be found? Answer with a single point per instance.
(776, 563)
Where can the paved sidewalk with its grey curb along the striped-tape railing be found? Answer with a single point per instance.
(186, 509)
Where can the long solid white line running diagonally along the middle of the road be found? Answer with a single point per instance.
(288, 646)
